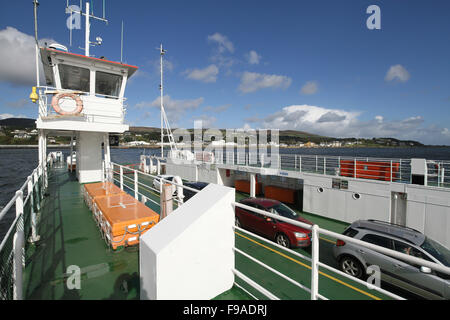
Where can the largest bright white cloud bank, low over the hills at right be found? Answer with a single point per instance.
(342, 123)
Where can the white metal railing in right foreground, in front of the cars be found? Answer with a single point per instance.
(316, 231)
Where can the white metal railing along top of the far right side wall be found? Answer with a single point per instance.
(381, 169)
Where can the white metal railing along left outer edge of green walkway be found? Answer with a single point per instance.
(27, 203)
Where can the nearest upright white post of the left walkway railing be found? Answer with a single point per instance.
(18, 247)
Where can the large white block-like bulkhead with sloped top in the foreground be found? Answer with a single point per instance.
(176, 255)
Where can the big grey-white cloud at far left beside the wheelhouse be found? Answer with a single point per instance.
(17, 57)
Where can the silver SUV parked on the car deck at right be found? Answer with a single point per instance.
(419, 280)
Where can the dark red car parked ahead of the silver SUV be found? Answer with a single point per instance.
(283, 233)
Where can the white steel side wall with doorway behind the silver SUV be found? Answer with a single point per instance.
(427, 208)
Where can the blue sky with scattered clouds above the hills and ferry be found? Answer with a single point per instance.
(304, 65)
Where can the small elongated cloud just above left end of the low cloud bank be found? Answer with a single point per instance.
(251, 81)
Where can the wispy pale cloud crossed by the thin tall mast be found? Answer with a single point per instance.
(175, 109)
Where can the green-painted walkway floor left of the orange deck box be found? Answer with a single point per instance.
(69, 236)
